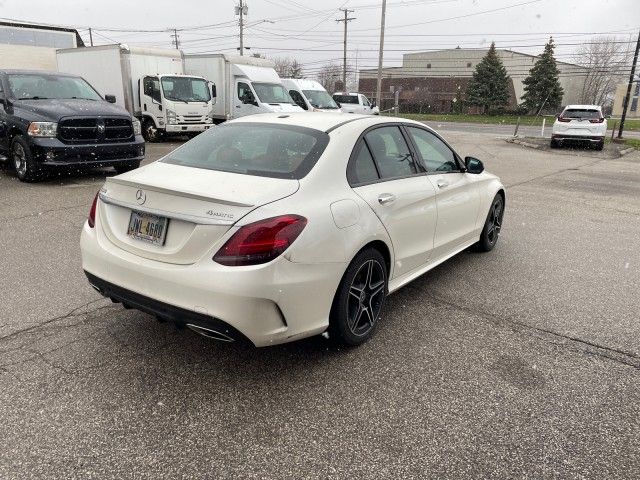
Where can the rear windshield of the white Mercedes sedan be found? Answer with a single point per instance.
(277, 151)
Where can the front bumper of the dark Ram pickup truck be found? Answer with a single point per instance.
(51, 152)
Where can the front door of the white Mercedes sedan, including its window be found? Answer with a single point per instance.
(457, 194)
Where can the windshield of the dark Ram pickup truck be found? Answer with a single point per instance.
(44, 86)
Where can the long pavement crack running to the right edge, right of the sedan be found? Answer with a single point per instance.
(568, 341)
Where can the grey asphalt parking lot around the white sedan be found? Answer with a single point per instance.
(524, 362)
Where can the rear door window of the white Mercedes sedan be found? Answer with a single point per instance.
(391, 153)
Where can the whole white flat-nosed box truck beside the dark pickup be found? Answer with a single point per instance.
(149, 82)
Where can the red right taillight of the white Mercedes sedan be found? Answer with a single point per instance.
(260, 242)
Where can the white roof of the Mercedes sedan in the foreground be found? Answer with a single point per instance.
(324, 122)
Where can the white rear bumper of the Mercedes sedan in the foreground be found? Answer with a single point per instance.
(269, 304)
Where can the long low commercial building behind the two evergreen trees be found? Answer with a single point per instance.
(440, 77)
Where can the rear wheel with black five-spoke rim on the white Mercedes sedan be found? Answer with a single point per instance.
(359, 301)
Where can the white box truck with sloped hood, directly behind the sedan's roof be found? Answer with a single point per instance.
(241, 85)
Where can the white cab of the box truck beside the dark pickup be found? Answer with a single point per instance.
(174, 105)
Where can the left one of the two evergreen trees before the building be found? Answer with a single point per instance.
(489, 87)
